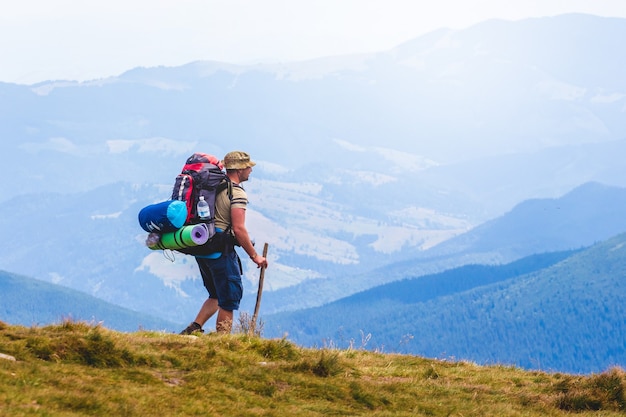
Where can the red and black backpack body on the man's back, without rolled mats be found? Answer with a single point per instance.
(202, 175)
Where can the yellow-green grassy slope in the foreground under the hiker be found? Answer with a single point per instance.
(76, 369)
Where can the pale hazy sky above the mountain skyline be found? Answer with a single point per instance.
(88, 39)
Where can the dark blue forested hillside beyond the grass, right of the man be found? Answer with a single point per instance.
(568, 316)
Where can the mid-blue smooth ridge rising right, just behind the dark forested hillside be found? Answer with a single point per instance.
(588, 214)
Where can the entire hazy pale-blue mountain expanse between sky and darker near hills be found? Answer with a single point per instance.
(476, 146)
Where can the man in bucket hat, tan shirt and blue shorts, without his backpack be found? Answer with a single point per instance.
(221, 272)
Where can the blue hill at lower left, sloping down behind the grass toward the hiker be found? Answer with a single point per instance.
(30, 302)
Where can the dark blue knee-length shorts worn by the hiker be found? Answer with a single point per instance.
(222, 279)
